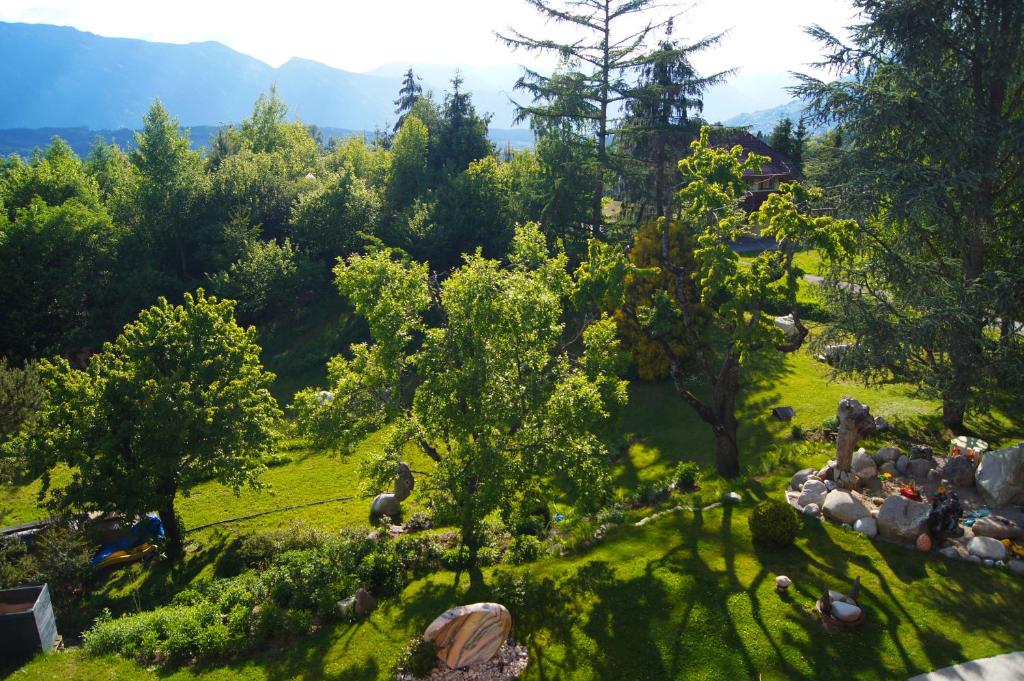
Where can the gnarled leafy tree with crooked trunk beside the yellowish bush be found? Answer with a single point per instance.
(727, 312)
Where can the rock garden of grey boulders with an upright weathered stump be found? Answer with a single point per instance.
(962, 501)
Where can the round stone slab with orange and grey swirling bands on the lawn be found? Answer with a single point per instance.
(470, 635)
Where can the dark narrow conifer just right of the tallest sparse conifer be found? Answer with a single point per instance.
(658, 125)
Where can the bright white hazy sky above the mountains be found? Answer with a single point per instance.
(764, 37)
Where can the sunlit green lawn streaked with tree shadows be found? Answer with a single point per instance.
(685, 598)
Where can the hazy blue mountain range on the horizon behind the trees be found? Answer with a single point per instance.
(59, 77)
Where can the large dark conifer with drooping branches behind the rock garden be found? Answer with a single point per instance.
(930, 105)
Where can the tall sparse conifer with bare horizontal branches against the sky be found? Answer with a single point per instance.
(598, 68)
